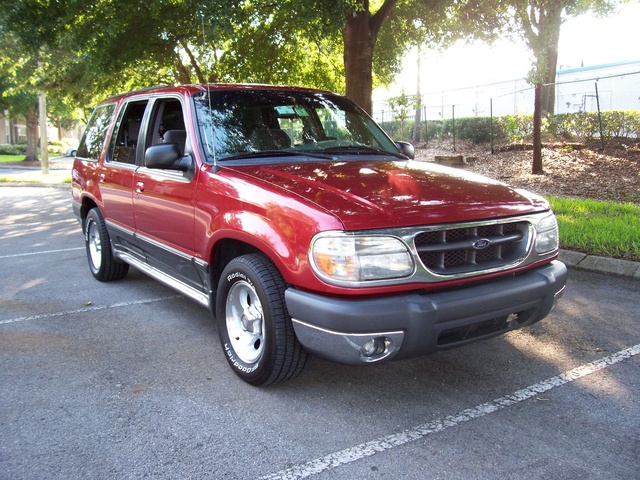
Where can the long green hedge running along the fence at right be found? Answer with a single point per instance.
(519, 128)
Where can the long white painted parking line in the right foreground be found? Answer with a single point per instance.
(389, 442)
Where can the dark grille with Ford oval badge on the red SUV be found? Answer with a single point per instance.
(473, 248)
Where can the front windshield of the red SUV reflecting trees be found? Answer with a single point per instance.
(250, 123)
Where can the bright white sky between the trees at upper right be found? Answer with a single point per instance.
(585, 40)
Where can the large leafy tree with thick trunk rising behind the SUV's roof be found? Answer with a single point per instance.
(106, 46)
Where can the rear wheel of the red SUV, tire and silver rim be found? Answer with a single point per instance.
(102, 263)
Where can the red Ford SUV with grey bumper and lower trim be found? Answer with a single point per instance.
(304, 228)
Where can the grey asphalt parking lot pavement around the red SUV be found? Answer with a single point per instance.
(127, 379)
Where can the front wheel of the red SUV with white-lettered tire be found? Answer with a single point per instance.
(255, 329)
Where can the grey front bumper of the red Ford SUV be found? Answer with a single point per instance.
(413, 324)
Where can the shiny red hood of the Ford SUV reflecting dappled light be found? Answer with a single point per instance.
(370, 194)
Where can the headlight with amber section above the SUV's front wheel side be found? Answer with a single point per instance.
(342, 258)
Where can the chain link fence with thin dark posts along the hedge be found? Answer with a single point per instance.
(589, 104)
